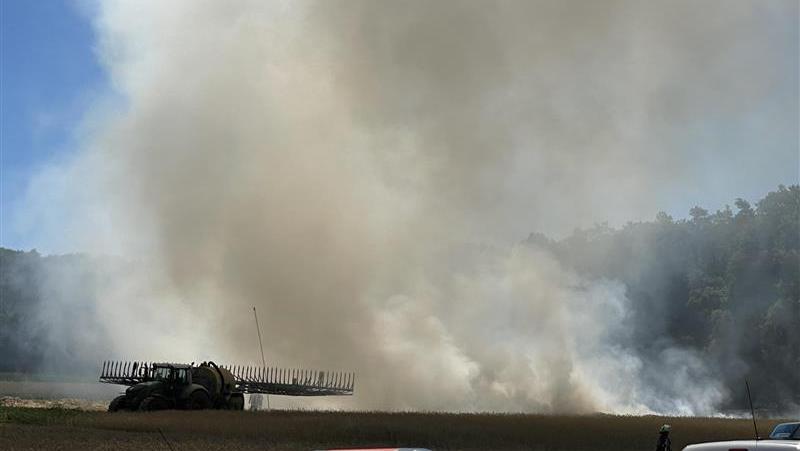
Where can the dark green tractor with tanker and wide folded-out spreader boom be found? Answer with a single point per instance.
(161, 386)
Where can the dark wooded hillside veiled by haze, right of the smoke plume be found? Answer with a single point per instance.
(725, 284)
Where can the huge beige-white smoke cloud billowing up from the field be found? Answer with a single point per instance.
(360, 172)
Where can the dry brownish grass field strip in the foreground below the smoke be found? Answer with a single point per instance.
(22, 428)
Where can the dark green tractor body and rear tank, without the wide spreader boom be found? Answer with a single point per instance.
(180, 386)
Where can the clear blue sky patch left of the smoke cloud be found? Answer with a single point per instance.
(49, 77)
